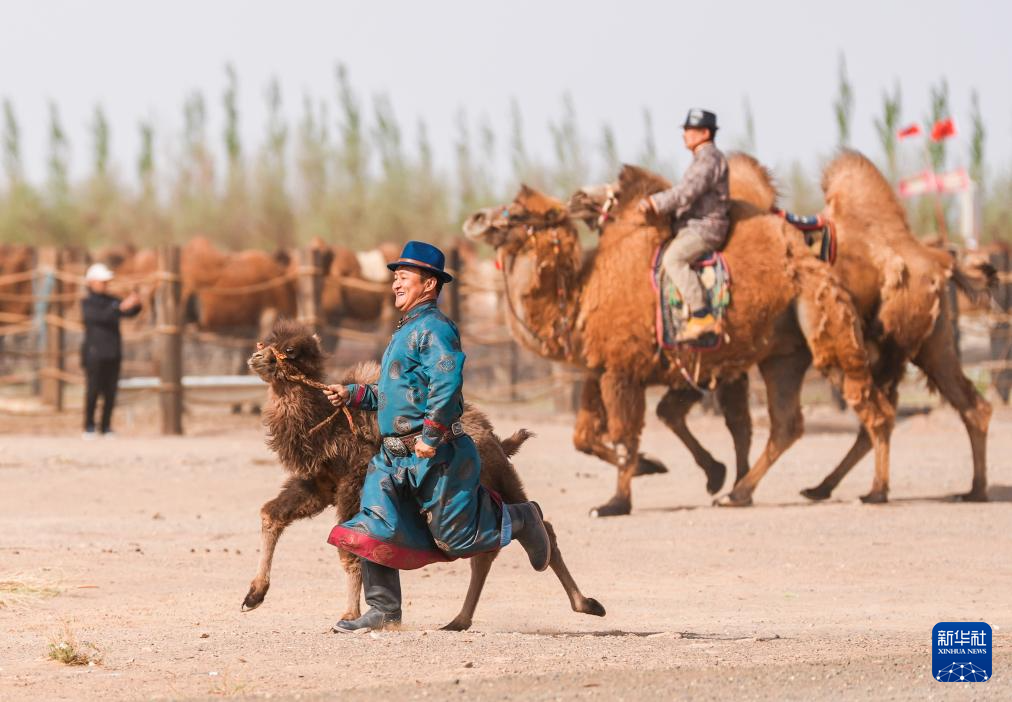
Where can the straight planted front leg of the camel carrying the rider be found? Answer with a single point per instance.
(625, 404)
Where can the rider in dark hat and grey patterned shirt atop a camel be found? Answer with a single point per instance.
(700, 206)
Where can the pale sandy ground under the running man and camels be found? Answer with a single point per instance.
(145, 547)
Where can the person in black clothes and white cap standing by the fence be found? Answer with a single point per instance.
(102, 353)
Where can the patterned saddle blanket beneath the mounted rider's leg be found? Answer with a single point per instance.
(671, 314)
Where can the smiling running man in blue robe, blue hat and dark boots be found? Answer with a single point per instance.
(423, 501)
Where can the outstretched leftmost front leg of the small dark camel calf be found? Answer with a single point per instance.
(299, 499)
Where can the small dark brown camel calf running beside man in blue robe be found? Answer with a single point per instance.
(328, 468)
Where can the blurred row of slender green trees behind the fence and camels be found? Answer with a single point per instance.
(353, 178)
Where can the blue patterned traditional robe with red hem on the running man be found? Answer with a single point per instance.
(417, 511)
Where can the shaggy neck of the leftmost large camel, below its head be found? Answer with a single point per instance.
(544, 294)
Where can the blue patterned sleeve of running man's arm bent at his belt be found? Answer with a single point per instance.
(443, 362)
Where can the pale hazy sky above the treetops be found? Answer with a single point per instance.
(140, 60)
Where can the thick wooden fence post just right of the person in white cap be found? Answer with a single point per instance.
(168, 311)
